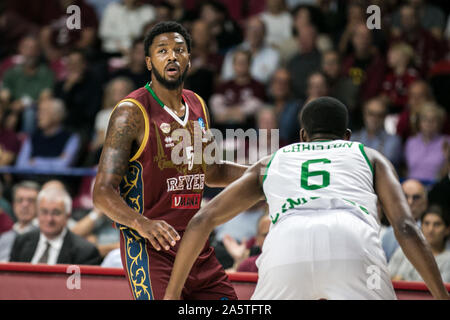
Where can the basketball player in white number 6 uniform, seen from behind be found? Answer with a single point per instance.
(324, 239)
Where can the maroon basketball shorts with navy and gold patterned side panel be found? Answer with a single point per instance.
(148, 271)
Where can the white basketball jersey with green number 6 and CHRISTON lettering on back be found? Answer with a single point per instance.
(322, 175)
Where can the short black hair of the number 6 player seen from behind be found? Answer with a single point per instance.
(324, 115)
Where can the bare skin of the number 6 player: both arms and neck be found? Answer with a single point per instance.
(248, 189)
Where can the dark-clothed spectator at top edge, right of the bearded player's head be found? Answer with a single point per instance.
(224, 29)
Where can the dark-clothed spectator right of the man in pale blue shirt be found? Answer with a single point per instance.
(305, 62)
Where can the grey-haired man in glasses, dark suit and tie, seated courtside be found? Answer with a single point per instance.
(53, 243)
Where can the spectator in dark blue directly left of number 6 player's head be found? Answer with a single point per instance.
(285, 106)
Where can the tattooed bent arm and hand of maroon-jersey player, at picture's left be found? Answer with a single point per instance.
(125, 130)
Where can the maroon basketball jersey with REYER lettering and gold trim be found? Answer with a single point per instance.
(157, 184)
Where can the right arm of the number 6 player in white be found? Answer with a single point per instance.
(410, 238)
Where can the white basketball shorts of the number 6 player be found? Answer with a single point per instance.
(323, 255)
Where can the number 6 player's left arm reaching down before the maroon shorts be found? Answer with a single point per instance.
(234, 199)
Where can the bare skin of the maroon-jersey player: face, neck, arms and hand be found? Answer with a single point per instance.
(125, 134)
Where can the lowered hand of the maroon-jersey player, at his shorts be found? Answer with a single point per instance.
(158, 232)
